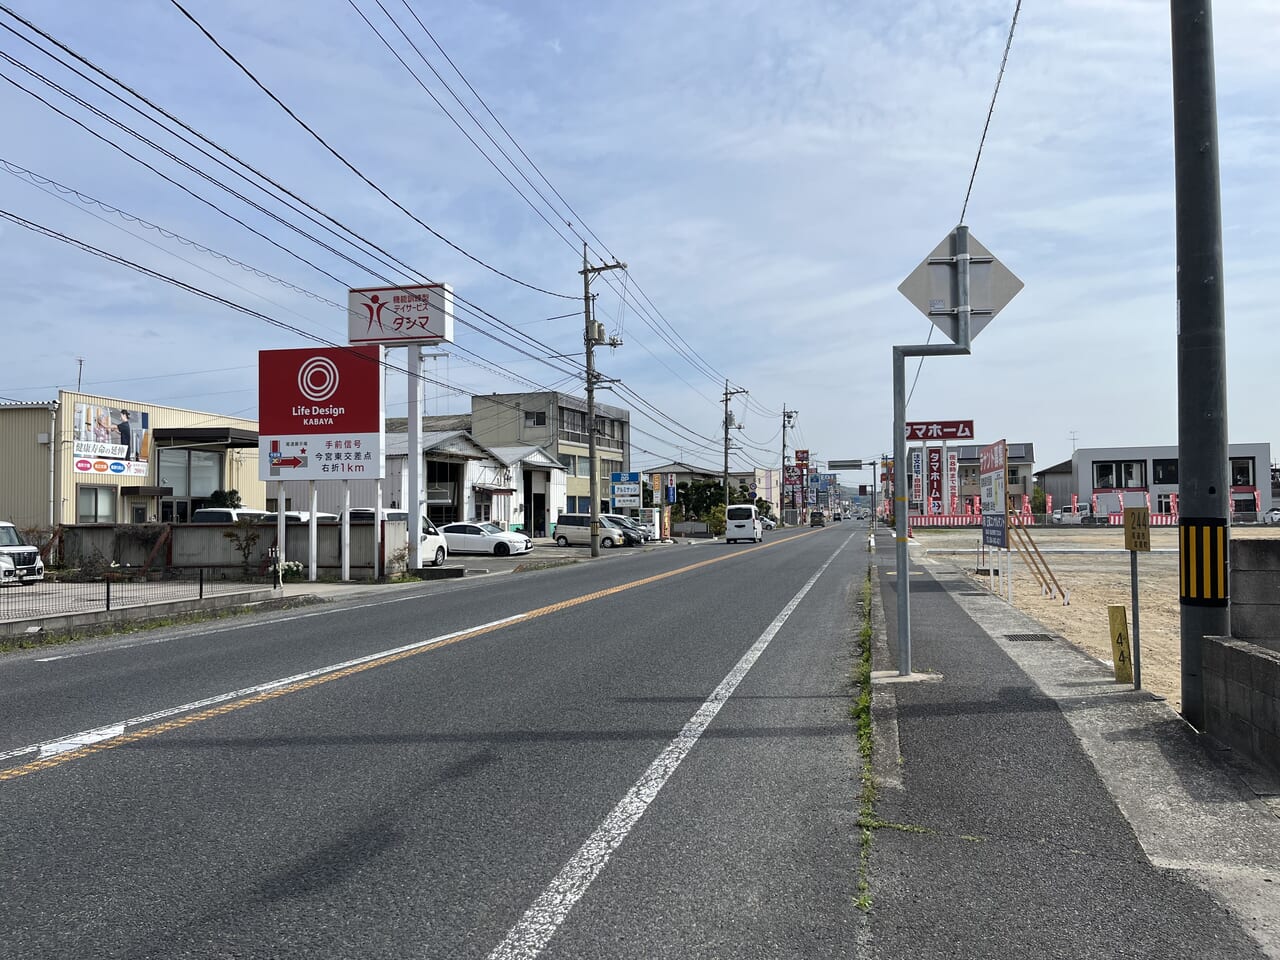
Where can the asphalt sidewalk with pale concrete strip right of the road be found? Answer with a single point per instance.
(1031, 807)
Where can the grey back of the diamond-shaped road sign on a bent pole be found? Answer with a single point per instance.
(932, 287)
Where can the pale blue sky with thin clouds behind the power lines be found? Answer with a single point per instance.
(770, 173)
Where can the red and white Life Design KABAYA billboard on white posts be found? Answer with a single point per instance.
(322, 414)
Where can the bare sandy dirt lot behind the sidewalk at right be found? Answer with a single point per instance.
(1094, 566)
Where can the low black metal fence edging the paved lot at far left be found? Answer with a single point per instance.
(61, 598)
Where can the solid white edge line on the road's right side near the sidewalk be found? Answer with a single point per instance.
(532, 934)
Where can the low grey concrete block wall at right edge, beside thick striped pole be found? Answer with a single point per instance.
(1242, 698)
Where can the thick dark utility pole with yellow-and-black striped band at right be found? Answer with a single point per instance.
(1204, 458)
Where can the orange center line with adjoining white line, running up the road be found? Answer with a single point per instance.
(232, 706)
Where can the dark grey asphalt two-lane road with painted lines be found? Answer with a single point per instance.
(643, 757)
